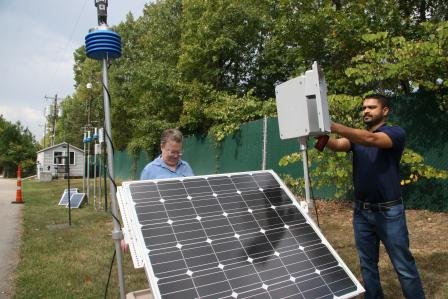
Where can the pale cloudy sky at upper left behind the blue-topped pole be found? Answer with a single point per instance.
(37, 41)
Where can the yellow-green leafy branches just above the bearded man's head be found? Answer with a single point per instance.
(403, 66)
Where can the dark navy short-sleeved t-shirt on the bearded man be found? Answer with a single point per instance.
(376, 175)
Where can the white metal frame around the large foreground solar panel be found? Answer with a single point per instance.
(142, 253)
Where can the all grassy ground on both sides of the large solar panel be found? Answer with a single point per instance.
(61, 261)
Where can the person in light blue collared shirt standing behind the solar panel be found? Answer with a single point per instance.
(169, 163)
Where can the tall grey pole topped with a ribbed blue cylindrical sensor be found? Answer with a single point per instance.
(103, 44)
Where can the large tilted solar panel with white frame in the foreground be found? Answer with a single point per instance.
(239, 235)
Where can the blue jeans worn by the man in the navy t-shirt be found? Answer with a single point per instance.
(389, 227)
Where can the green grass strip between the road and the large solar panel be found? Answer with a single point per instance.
(62, 261)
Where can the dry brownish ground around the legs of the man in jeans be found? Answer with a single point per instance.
(428, 238)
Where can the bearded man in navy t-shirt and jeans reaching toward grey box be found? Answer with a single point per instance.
(378, 208)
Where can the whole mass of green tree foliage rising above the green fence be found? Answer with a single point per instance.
(208, 66)
